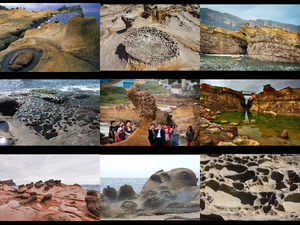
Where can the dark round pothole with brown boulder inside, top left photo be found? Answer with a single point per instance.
(21, 60)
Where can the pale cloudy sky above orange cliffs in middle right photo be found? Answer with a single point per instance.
(255, 85)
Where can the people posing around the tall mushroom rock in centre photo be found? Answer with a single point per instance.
(159, 135)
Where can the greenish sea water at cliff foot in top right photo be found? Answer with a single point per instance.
(226, 63)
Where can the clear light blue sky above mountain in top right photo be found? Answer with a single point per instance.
(281, 13)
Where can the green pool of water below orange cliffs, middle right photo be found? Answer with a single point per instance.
(267, 129)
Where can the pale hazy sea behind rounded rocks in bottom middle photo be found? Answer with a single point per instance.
(136, 183)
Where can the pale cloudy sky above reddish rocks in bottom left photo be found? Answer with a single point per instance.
(70, 169)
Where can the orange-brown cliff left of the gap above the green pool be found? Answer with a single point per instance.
(221, 99)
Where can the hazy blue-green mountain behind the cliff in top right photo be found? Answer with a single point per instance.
(228, 21)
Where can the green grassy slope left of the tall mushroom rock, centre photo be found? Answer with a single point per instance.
(113, 95)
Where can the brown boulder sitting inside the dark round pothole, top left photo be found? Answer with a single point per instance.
(20, 60)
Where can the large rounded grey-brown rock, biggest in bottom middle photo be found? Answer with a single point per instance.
(172, 180)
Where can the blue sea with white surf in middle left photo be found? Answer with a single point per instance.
(91, 86)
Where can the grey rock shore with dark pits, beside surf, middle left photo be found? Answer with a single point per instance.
(32, 118)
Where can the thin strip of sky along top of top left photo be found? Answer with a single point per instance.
(87, 7)
